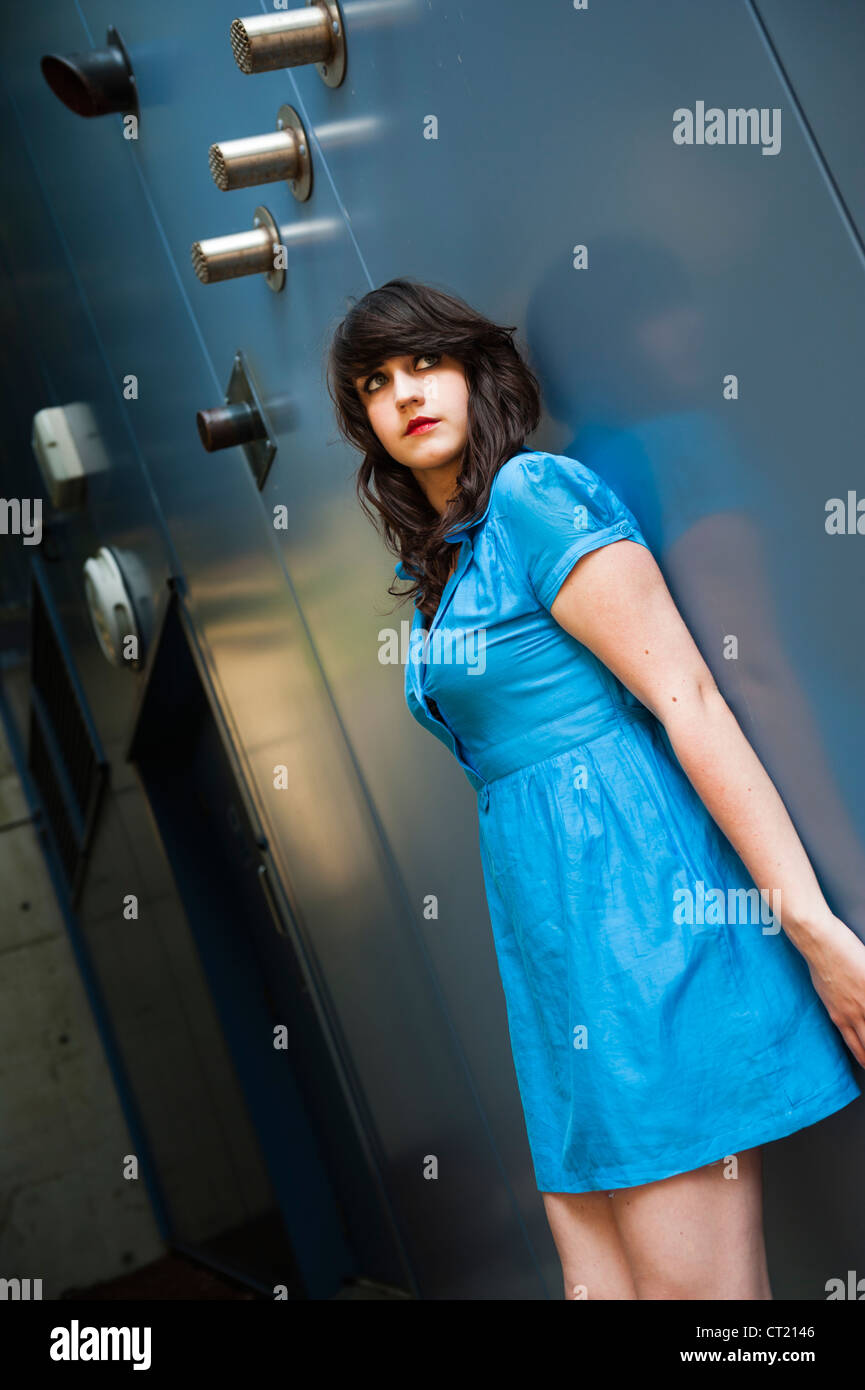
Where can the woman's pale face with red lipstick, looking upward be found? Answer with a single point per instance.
(403, 390)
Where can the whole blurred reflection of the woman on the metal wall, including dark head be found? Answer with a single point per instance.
(633, 359)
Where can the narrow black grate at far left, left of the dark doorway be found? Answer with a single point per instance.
(63, 757)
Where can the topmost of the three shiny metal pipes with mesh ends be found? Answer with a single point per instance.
(269, 42)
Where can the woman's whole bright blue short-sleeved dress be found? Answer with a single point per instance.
(660, 1020)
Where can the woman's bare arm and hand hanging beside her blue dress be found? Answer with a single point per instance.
(617, 603)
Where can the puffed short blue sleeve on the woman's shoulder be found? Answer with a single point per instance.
(556, 511)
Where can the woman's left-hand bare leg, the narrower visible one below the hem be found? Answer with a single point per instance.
(588, 1239)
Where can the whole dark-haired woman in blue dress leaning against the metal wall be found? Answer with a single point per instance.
(614, 789)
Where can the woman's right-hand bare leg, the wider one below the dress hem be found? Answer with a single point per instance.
(697, 1235)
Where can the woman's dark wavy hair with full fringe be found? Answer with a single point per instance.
(405, 318)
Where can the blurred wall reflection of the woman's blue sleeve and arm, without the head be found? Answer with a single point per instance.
(710, 529)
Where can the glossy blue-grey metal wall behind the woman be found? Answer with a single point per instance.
(464, 152)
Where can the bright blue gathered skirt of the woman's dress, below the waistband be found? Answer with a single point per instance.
(658, 1018)
